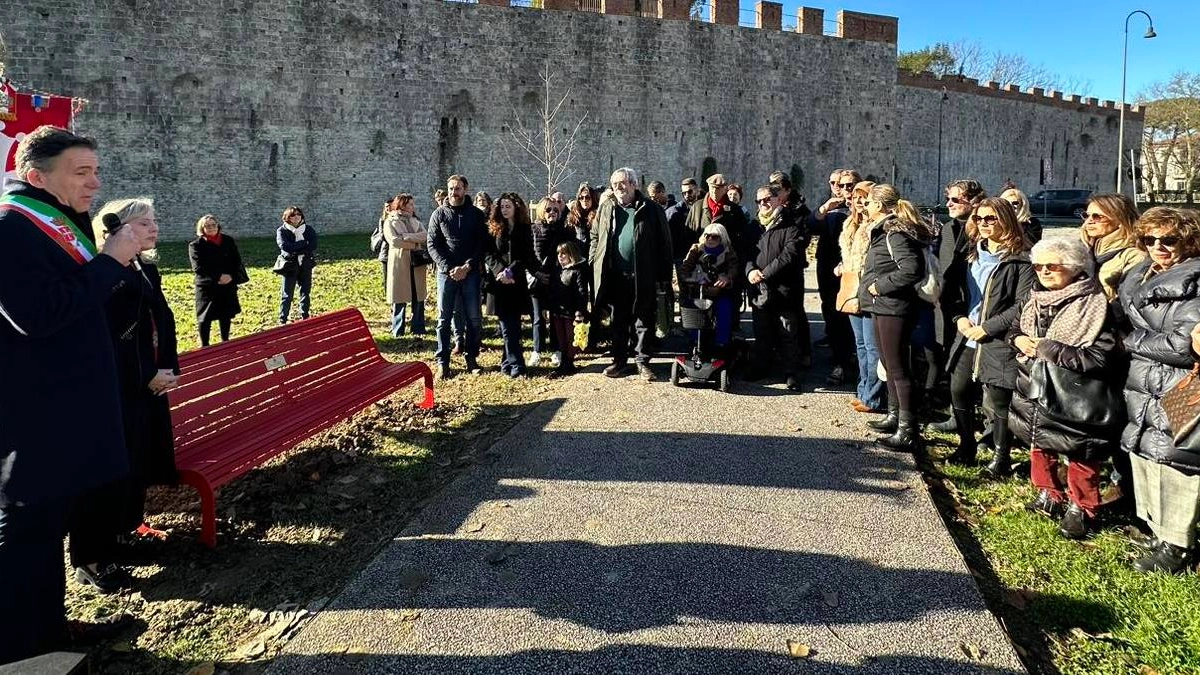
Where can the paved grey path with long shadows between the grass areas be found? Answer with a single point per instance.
(633, 528)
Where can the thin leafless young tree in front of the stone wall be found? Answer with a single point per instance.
(543, 141)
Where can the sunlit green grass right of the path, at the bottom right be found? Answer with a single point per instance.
(1073, 607)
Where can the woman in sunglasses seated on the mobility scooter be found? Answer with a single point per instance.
(710, 268)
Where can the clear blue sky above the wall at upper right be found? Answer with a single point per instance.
(1079, 40)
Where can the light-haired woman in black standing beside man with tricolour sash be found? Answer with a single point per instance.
(143, 333)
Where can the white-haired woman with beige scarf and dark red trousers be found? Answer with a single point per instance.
(1069, 399)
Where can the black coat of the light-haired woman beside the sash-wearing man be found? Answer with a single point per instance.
(143, 332)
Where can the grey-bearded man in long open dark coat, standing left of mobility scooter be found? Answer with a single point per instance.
(631, 259)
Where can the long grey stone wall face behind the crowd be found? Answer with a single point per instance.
(243, 109)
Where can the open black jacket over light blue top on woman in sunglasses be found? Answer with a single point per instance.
(1005, 295)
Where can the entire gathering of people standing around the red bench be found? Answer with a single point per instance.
(1081, 350)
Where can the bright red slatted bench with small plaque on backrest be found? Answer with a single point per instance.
(242, 403)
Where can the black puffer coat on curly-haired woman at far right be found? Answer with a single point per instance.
(1157, 313)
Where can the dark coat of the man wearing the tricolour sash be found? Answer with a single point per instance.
(61, 417)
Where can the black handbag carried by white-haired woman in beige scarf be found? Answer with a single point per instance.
(1075, 399)
